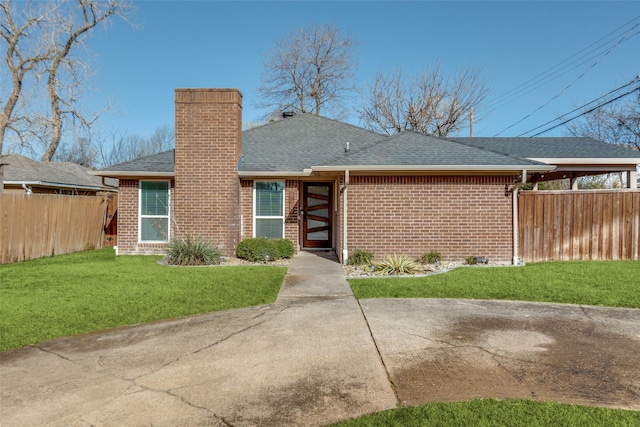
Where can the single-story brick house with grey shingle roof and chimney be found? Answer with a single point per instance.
(324, 184)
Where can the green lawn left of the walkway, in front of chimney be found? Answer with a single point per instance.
(75, 293)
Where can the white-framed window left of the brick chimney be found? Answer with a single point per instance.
(154, 211)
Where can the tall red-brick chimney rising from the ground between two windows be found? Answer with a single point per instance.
(208, 139)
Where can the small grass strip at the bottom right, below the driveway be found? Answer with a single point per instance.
(494, 413)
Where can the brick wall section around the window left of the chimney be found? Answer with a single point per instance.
(128, 206)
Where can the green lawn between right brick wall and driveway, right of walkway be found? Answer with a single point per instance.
(603, 283)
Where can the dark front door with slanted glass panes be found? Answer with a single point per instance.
(317, 217)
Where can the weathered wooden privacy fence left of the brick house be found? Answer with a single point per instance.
(39, 225)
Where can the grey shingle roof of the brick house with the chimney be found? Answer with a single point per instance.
(305, 143)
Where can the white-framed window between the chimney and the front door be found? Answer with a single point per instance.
(268, 202)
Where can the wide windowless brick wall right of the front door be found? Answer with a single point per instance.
(458, 216)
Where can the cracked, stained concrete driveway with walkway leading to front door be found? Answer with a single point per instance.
(317, 356)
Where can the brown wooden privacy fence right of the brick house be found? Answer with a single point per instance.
(579, 225)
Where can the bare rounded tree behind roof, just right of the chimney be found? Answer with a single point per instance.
(309, 71)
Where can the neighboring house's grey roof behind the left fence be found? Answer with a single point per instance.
(18, 170)
